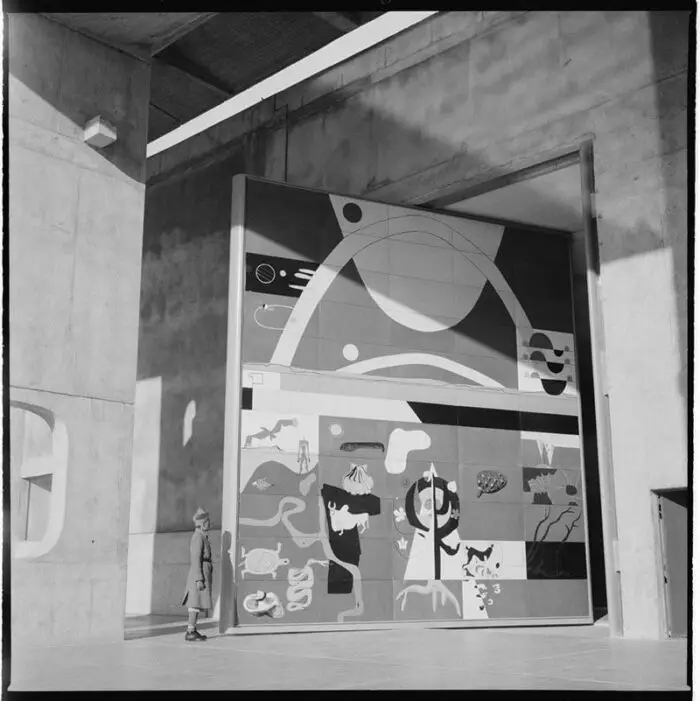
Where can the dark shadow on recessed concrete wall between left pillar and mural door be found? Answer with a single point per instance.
(184, 302)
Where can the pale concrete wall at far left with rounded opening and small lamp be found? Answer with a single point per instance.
(76, 218)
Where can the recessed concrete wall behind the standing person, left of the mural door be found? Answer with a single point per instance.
(182, 341)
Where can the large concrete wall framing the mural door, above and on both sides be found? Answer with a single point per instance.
(459, 99)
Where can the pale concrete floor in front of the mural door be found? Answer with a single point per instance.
(155, 656)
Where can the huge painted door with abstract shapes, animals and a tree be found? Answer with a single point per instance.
(408, 443)
